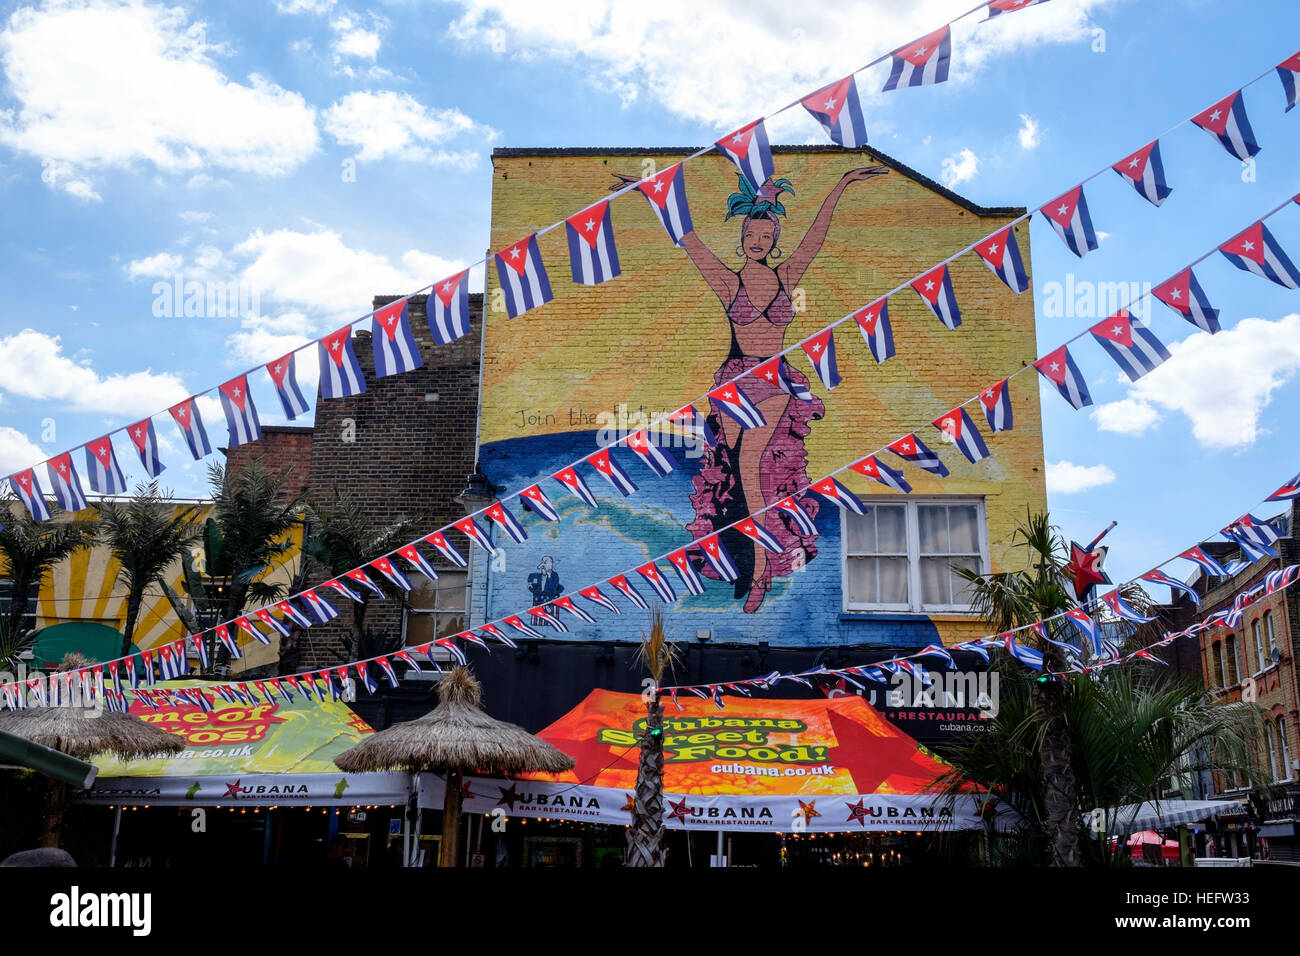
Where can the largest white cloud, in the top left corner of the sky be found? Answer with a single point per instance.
(101, 85)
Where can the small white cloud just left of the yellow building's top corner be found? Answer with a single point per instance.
(396, 124)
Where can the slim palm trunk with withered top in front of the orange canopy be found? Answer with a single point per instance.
(645, 836)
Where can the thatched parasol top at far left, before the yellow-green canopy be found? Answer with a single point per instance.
(83, 733)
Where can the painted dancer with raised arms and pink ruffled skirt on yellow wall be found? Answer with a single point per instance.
(752, 469)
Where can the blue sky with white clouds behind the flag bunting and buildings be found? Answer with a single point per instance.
(320, 152)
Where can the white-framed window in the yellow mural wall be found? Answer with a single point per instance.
(899, 557)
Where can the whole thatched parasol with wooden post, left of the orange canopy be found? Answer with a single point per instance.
(456, 738)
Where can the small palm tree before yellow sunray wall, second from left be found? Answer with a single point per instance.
(146, 534)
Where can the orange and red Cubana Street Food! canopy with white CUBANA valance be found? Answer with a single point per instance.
(760, 765)
